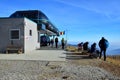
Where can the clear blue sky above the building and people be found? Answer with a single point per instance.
(83, 20)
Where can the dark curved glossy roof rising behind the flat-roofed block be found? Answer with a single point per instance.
(38, 17)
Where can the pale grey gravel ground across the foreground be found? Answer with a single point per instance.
(44, 70)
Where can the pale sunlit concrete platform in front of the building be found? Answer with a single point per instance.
(44, 55)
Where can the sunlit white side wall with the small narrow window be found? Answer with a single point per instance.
(30, 41)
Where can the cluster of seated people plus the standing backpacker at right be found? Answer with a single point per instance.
(103, 45)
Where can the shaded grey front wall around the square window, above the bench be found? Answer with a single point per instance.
(6, 24)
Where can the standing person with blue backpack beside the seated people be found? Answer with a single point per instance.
(103, 44)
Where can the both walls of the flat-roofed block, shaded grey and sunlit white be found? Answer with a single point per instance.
(27, 42)
